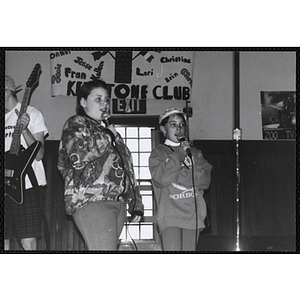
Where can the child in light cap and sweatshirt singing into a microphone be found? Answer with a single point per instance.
(180, 212)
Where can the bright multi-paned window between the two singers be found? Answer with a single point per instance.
(139, 141)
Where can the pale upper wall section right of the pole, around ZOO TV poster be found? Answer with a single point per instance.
(267, 71)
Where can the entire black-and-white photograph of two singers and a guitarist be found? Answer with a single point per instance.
(149, 150)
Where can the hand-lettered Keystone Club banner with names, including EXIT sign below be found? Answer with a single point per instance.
(134, 77)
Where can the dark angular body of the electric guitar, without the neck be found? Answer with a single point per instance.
(16, 168)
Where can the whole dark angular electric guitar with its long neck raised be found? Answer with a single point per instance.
(18, 160)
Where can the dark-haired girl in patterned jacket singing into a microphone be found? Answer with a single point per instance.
(97, 170)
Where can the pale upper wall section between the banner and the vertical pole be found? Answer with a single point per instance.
(212, 96)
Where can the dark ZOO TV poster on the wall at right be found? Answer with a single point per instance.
(278, 111)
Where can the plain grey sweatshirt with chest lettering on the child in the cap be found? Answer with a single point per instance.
(171, 171)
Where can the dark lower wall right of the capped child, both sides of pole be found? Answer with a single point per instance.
(267, 195)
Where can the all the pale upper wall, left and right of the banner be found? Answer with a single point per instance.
(212, 93)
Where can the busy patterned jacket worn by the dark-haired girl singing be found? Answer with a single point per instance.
(95, 168)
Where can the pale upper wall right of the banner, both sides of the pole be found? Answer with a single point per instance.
(213, 91)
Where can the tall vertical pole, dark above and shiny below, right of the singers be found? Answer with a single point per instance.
(237, 135)
